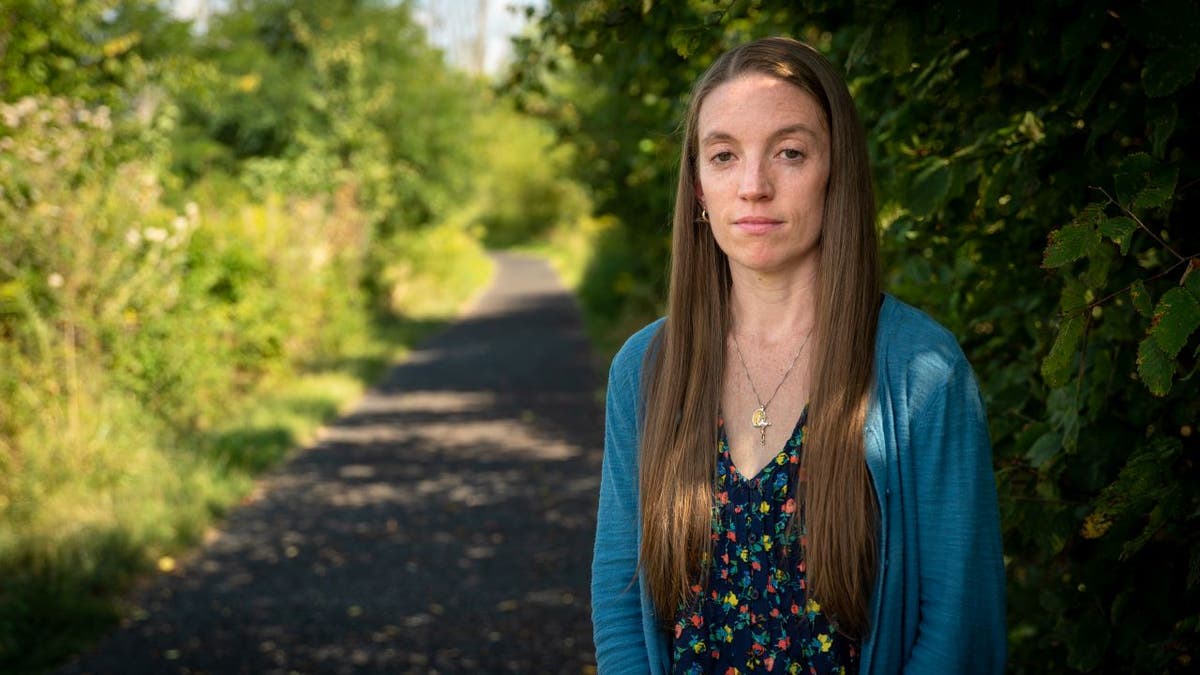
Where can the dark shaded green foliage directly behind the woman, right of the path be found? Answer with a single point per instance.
(1036, 195)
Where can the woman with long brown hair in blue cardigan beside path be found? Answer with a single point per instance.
(797, 473)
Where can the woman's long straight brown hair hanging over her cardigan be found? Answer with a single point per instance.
(687, 361)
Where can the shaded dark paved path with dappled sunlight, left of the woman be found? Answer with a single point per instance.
(445, 527)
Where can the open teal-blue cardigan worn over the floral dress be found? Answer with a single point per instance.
(939, 600)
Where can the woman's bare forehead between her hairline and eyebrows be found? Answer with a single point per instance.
(758, 104)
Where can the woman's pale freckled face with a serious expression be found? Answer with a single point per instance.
(764, 164)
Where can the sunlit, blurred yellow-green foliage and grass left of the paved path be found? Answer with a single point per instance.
(208, 244)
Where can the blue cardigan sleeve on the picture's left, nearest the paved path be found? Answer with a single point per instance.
(616, 592)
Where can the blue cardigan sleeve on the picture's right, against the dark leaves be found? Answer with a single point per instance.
(962, 571)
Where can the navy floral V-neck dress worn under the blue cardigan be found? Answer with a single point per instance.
(754, 617)
